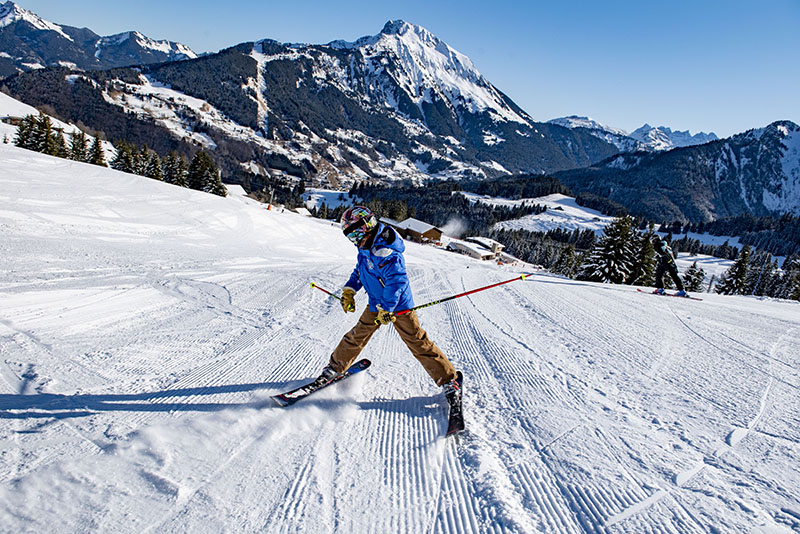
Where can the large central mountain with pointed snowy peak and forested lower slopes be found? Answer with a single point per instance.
(401, 104)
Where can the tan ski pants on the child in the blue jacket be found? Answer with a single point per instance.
(429, 355)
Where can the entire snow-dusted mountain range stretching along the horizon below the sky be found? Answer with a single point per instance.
(399, 105)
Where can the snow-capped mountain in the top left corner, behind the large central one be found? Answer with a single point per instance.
(29, 42)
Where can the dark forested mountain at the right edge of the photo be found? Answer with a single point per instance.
(756, 172)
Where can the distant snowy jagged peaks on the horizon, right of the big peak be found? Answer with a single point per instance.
(645, 138)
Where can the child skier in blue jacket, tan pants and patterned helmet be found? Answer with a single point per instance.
(381, 271)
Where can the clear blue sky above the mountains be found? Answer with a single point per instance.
(702, 65)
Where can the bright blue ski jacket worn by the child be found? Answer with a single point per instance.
(381, 271)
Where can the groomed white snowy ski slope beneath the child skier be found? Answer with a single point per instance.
(144, 326)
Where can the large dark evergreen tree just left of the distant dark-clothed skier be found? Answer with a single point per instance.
(612, 258)
